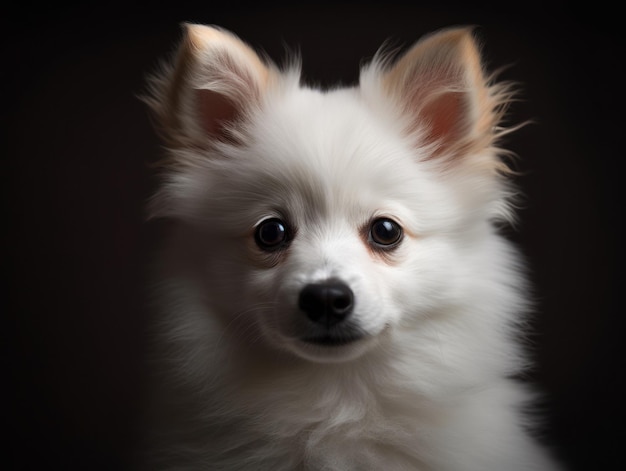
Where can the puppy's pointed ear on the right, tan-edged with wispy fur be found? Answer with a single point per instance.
(441, 88)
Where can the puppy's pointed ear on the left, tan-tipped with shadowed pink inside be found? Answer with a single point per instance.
(216, 79)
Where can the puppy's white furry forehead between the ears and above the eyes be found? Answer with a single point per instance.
(317, 150)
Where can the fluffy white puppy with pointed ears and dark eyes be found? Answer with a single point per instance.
(333, 290)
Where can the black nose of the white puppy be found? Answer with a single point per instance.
(327, 303)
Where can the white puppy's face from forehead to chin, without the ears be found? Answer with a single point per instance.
(322, 233)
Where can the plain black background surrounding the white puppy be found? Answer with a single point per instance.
(76, 149)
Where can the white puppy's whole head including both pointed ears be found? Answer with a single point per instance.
(325, 221)
